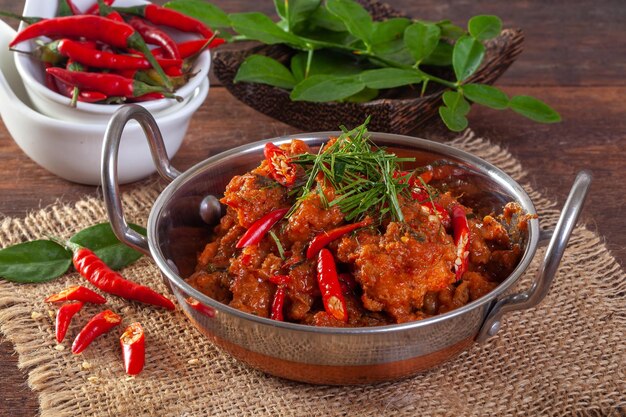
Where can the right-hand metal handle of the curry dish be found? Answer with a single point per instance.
(551, 260)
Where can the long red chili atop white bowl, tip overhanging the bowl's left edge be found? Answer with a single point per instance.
(90, 27)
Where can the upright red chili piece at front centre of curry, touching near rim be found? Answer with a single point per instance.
(328, 281)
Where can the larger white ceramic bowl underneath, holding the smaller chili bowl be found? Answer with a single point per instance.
(72, 150)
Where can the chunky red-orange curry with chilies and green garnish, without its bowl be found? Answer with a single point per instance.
(349, 236)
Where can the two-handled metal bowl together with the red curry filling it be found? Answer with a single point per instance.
(350, 235)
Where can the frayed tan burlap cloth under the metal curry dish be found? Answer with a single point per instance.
(567, 356)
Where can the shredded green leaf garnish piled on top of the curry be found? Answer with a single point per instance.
(361, 173)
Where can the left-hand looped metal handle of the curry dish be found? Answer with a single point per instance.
(110, 186)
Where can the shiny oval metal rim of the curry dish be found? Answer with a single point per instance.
(492, 172)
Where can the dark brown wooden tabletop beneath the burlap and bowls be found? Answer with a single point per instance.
(574, 59)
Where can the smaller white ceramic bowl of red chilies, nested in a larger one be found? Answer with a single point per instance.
(56, 105)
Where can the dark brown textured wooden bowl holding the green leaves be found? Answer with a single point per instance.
(389, 114)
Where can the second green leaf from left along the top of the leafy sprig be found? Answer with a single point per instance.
(257, 26)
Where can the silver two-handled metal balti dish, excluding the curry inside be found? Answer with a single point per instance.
(181, 222)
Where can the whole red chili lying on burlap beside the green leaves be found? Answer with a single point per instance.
(94, 270)
